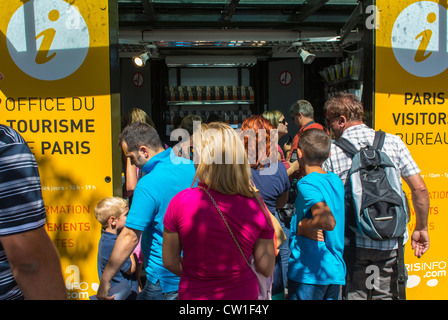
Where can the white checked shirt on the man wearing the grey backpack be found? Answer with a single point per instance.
(361, 136)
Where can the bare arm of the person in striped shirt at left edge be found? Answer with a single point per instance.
(35, 265)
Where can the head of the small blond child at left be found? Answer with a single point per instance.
(111, 207)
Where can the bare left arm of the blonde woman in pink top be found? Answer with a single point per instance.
(171, 252)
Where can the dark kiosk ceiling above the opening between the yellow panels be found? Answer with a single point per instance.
(244, 26)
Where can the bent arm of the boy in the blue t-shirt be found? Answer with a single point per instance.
(322, 219)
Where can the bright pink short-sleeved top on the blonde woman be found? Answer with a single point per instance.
(213, 268)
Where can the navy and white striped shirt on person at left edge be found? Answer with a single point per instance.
(21, 205)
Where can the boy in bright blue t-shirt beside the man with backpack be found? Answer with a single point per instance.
(316, 266)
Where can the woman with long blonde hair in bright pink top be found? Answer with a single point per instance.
(212, 267)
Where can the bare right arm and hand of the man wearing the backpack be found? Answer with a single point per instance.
(420, 201)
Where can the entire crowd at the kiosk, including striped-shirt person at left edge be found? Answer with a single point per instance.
(204, 218)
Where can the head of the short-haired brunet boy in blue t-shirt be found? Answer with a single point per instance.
(316, 144)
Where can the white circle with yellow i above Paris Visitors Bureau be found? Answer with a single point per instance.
(419, 39)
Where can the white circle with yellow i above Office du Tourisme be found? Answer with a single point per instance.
(54, 46)
